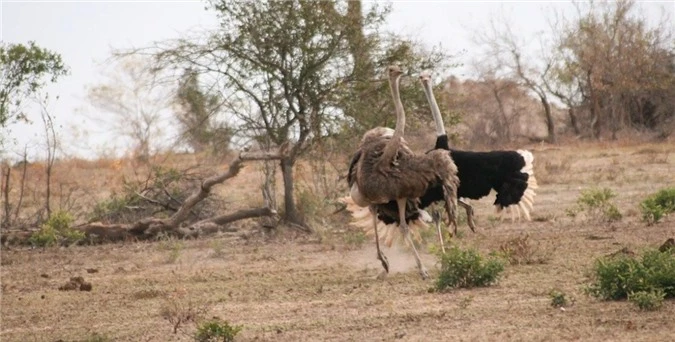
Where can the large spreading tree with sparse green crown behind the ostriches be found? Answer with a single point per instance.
(295, 71)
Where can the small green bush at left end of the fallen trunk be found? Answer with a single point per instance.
(56, 231)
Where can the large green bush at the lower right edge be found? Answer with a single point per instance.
(616, 277)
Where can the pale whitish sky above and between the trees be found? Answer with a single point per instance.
(84, 32)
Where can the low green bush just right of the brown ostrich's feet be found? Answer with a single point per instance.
(466, 269)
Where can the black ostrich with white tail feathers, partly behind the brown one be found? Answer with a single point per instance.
(509, 173)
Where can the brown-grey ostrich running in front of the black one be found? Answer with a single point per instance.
(387, 170)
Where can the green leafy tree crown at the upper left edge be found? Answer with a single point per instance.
(23, 69)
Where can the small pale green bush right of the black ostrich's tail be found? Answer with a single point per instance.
(597, 205)
